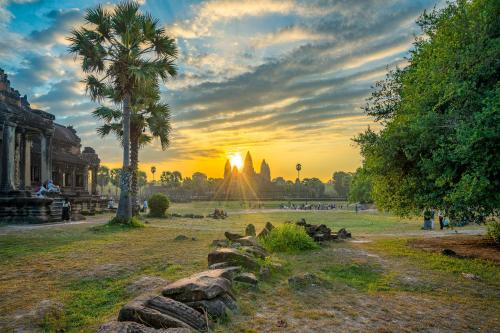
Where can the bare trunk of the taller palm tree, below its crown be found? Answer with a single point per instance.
(124, 211)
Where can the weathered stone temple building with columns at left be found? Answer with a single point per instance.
(35, 149)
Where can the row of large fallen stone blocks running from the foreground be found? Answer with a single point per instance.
(188, 304)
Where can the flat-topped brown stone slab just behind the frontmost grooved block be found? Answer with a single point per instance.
(197, 288)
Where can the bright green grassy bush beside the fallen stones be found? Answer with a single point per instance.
(288, 238)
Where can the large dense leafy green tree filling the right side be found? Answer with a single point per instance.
(441, 118)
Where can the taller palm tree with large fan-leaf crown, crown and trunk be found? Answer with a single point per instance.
(121, 51)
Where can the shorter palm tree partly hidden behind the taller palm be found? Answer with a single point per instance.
(146, 122)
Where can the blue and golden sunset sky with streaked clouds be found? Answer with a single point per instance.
(283, 79)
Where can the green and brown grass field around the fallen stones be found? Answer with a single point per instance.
(374, 283)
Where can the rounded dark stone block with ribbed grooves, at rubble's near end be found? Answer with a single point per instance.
(162, 312)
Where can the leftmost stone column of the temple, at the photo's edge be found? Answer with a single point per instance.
(8, 151)
